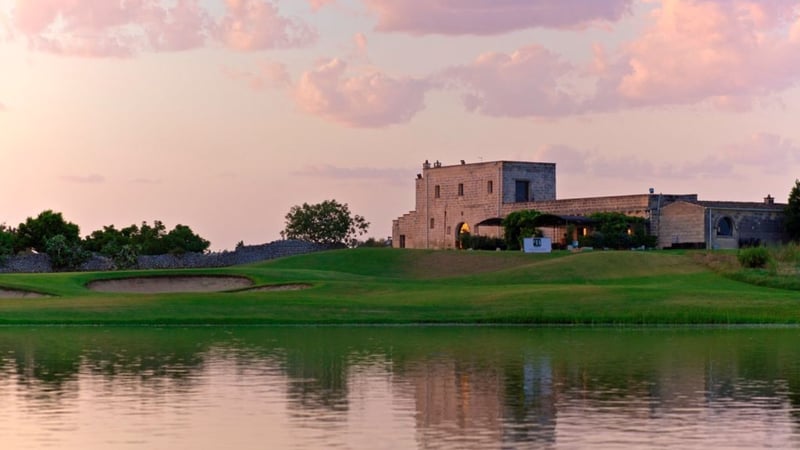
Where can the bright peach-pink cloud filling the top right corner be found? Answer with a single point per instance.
(724, 52)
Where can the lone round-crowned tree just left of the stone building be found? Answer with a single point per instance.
(329, 222)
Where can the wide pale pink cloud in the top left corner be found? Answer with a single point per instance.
(100, 28)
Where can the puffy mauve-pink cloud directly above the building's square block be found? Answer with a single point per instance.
(528, 82)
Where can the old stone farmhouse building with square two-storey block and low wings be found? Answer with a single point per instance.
(476, 197)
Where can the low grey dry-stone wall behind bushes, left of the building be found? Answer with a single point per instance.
(242, 255)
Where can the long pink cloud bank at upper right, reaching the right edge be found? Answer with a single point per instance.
(726, 54)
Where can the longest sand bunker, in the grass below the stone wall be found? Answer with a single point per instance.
(159, 285)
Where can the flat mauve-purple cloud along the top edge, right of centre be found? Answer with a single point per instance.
(481, 17)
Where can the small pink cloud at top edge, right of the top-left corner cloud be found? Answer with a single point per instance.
(257, 25)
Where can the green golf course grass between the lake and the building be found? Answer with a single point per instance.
(387, 286)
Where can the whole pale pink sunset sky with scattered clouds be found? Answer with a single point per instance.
(223, 114)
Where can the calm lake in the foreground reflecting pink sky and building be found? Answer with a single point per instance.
(398, 387)
